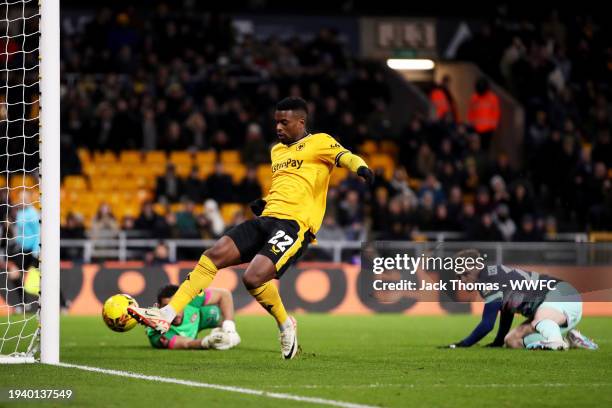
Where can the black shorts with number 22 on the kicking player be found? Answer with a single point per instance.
(283, 241)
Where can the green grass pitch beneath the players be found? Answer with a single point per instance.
(386, 360)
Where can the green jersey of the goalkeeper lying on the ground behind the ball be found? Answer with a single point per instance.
(197, 316)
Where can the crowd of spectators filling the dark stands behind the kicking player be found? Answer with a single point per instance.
(182, 81)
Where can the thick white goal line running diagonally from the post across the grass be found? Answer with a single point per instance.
(229, 388)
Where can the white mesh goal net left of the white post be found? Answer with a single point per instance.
(20, 180)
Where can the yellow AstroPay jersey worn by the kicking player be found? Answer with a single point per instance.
(300, 178)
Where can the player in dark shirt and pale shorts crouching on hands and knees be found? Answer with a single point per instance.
(551, 313)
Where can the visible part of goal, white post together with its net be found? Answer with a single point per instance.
(30, 131)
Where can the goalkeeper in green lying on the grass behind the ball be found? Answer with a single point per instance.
(212, 308)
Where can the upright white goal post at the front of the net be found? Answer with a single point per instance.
(50, 180)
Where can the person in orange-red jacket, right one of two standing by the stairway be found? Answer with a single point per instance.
(484, 112)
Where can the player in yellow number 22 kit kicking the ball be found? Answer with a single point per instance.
(287, 220)
